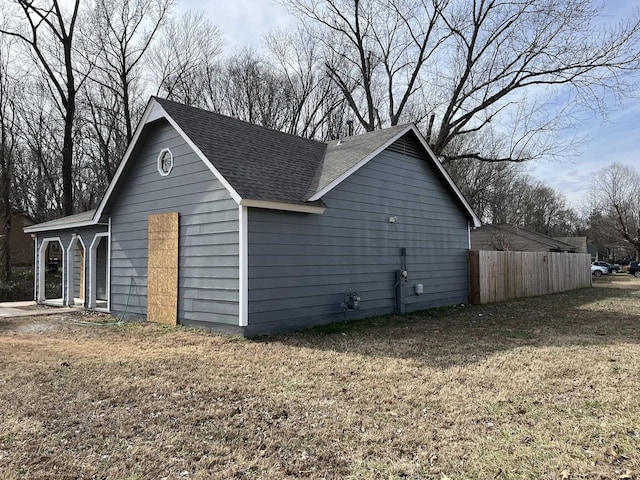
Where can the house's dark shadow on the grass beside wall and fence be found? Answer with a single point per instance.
(608, 313)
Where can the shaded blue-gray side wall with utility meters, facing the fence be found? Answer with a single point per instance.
(301, 264)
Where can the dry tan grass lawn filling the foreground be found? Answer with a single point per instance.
(543, 388)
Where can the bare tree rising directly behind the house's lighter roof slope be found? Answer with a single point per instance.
(375, 51)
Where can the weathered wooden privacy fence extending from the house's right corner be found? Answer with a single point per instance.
(499, 276)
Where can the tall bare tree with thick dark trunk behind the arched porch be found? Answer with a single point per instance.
(49, 32)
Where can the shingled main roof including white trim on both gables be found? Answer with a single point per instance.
(263, 167)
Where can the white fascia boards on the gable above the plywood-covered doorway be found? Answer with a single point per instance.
(154, 111)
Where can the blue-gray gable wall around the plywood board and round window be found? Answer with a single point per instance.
(208, 233)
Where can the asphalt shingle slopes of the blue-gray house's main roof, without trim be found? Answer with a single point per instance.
(264, 164)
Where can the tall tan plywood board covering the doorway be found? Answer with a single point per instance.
(162, 268)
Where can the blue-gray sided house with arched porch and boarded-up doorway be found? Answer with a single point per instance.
(214, 222)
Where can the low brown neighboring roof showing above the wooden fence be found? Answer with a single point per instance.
(505, 237)
